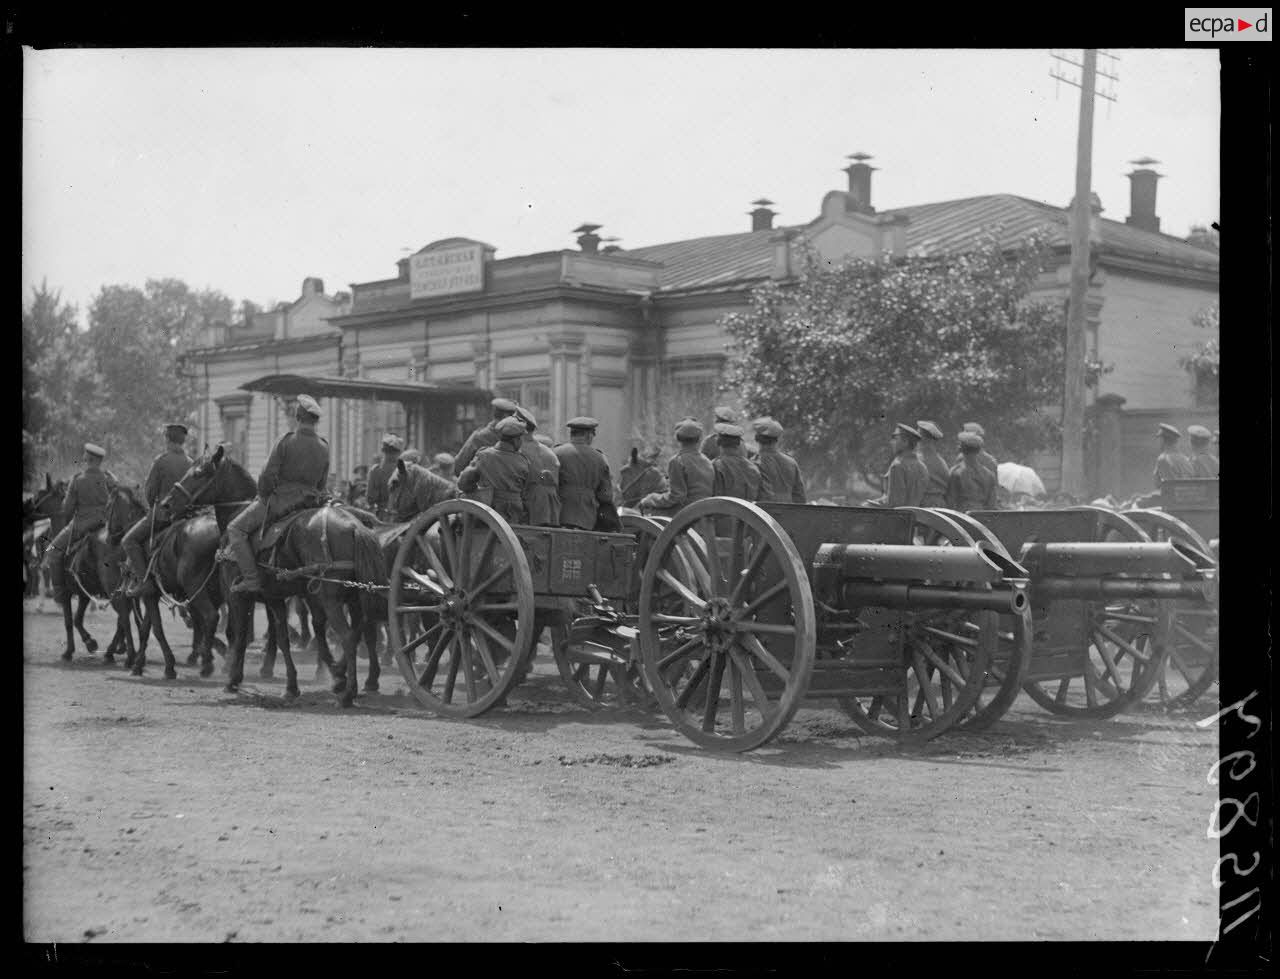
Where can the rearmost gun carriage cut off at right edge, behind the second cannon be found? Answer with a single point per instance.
(1188, 513)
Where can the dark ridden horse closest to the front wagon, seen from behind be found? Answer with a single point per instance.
(321, 546)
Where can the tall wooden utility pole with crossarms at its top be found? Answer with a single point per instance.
(1073, 388)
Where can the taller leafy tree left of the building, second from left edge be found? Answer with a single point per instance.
(136, 337)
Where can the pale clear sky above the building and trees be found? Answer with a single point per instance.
(248, 171)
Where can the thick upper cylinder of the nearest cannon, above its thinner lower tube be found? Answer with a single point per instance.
(904, 562)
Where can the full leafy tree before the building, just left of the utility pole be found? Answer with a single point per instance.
(845, 353)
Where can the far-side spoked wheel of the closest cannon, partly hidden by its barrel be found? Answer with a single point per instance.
(949, 660)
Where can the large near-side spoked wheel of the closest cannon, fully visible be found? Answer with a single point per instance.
(728, 629)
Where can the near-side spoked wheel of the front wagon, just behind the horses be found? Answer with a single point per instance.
(463, 569)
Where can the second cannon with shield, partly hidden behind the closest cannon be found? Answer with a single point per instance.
(1104, 598)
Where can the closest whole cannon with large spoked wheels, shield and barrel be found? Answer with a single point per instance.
(748, 611)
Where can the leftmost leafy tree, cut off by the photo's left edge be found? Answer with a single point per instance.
(60, 399)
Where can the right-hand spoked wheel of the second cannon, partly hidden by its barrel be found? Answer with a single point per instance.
(1128, 643)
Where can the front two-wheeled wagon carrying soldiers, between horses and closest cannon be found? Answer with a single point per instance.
(473, 593)
